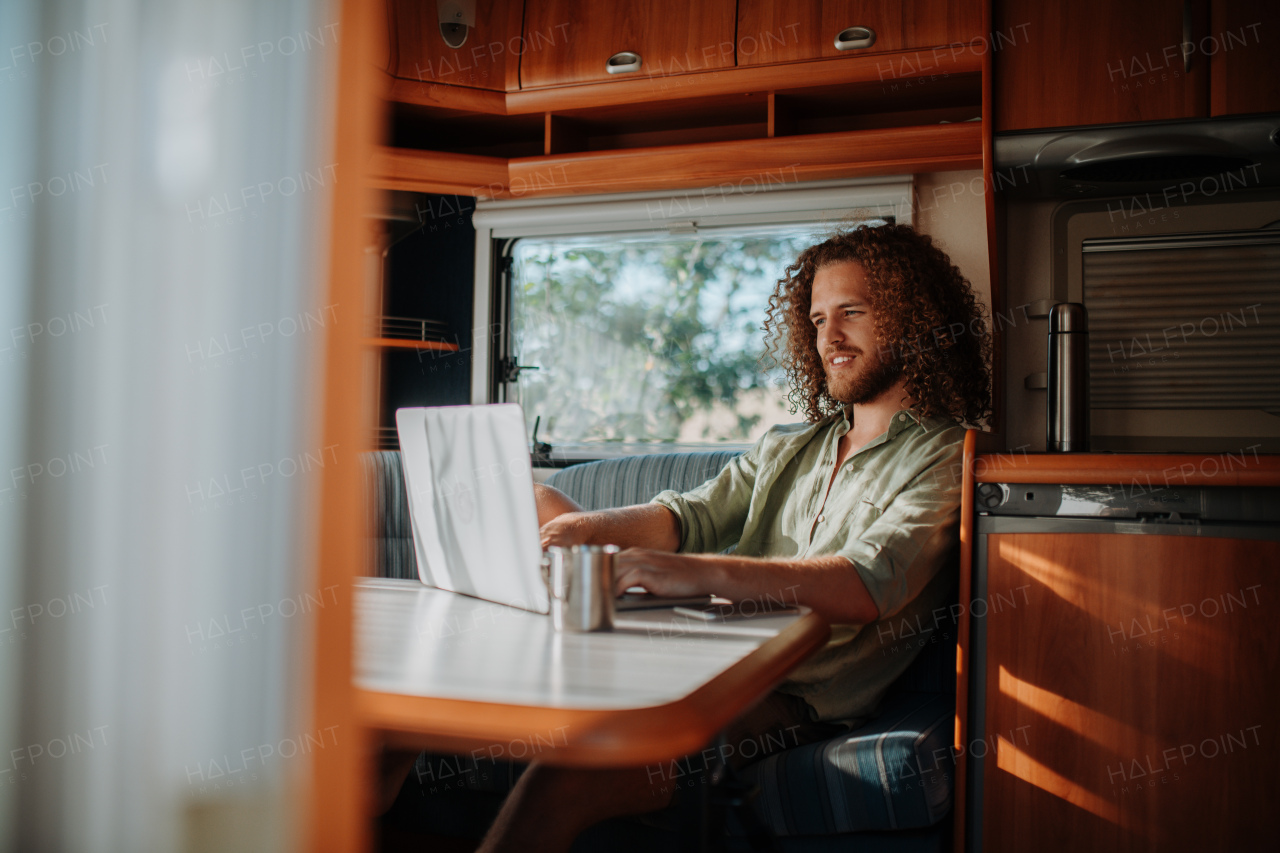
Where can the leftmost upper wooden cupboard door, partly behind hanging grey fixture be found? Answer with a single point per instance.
(490, 58)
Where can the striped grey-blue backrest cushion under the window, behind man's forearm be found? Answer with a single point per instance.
(637, 480)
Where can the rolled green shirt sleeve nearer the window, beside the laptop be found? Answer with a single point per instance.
(712, 517)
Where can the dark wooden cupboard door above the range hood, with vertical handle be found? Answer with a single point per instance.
(1098, 62)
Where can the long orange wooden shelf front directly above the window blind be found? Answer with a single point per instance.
(765, 162)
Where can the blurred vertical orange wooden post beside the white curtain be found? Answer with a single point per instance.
(340, 784)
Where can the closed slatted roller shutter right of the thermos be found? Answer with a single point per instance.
(1186, 322)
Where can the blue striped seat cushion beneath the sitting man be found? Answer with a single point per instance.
(895, 773)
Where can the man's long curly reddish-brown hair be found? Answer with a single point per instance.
(926, 318)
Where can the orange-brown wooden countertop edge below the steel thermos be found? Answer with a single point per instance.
(1146, 471)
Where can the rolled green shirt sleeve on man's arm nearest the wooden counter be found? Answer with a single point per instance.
(903, 550)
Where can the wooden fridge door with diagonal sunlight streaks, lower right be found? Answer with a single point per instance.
(1132, 700)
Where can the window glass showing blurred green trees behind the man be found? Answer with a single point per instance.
(651, 339)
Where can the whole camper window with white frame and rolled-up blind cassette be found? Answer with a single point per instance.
(643, 312)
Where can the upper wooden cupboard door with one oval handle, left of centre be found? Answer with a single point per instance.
(670, 37)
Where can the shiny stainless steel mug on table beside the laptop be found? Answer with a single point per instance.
(580, 583)
